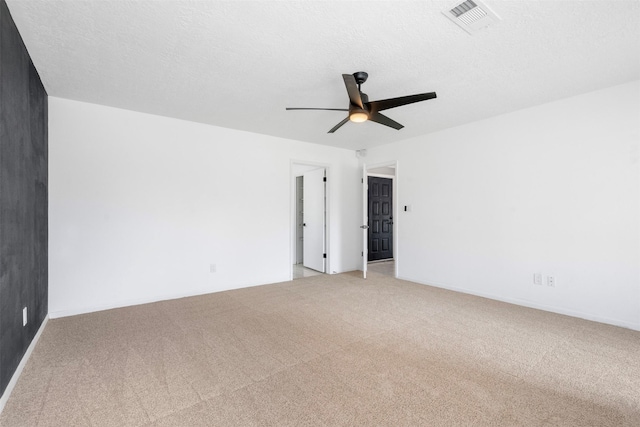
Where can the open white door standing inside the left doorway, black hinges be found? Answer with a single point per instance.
(314, 220)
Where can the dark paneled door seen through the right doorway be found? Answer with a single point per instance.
(380, 218)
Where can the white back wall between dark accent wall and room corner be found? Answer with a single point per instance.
(141, 205)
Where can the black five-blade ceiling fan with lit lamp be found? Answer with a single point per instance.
(361, 109)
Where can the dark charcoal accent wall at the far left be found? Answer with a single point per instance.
(23, 198)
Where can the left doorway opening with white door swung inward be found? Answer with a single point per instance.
(309, 221)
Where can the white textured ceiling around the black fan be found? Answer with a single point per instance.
(238, 64)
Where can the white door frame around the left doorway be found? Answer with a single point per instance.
(297, 168)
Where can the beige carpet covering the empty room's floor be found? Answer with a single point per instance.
(329, 350)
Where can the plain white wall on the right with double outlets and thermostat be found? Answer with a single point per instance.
(553, 189)
